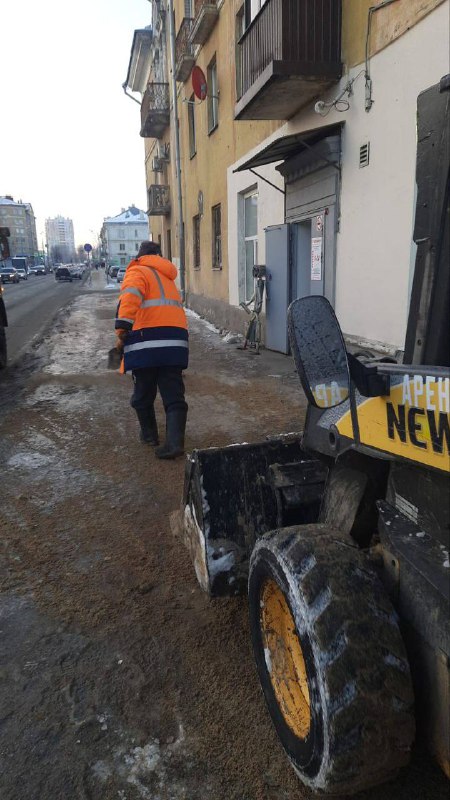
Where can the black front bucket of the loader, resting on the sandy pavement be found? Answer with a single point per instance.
(232, 495)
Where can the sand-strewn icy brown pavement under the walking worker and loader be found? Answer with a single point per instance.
(119, 678)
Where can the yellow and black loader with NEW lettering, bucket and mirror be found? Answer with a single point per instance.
(341, 535)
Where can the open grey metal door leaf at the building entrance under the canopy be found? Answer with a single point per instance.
(278, 286)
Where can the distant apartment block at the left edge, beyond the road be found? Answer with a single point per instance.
(20, 219)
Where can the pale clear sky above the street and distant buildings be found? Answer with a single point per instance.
(69, 137)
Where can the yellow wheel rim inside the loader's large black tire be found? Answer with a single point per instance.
(284, 659)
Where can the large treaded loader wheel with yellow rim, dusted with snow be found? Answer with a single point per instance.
(330, 658)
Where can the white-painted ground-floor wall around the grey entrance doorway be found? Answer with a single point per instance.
(375, 251)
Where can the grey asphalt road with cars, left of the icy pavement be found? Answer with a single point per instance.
(31, 306)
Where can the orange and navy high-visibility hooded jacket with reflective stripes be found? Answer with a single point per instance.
(150, 309)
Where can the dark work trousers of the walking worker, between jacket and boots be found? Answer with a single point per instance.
(169, 381)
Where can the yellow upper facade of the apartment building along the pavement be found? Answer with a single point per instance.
(245, 109)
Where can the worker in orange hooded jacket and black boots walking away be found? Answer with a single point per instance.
(152, 333)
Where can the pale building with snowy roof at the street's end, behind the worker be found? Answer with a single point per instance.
(121, 235)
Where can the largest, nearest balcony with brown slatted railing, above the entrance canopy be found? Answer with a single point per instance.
(289, 54)
